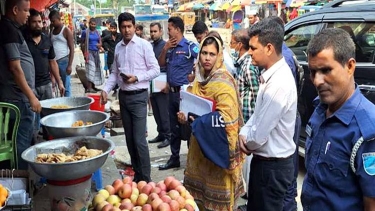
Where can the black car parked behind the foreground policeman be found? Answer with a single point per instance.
(355, 17)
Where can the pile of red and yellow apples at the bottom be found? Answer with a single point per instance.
(126, 195)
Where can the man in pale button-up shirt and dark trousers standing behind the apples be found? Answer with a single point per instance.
(133, 67)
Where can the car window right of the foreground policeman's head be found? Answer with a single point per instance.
(363, 35)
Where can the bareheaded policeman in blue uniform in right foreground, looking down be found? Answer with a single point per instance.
(340, 148)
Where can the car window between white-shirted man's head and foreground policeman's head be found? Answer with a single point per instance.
(297, 39)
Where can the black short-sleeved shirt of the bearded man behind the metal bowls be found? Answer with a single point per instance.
(41, 53)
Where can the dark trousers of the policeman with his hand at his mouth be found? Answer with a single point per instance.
(174, 107)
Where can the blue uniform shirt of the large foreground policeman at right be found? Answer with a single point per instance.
(330, 184)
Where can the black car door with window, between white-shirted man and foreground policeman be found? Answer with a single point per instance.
(297, 37)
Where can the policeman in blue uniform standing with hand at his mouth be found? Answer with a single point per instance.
(178, 56)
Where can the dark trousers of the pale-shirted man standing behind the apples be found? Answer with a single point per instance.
(133, 109)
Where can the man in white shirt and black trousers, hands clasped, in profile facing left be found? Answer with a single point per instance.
(268, 134)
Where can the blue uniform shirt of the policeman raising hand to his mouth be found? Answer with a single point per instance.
(180, 62)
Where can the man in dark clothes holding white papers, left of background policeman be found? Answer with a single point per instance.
(159, 100)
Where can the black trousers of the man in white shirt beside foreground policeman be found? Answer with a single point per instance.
(269, 180)
